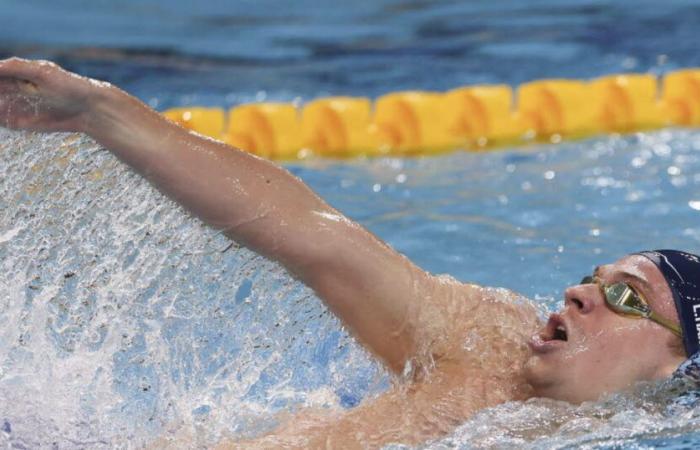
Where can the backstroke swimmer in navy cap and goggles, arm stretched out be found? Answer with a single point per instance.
(455, 348)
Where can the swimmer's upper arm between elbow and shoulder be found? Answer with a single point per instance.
(379, 294)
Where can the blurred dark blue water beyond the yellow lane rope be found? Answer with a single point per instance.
(221, 52)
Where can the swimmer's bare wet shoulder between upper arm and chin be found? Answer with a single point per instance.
(484, 327)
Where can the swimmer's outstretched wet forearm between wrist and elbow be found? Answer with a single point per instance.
(252, 200)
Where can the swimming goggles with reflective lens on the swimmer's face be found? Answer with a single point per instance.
(623, 299)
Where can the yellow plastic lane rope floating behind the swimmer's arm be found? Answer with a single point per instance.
(469, 118)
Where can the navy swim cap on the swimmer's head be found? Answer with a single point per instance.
(682, 273)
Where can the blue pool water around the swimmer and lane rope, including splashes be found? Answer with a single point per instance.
(122, 319)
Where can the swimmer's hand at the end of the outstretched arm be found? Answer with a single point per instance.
(41, 96)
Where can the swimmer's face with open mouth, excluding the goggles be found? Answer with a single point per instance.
(587, 350)
